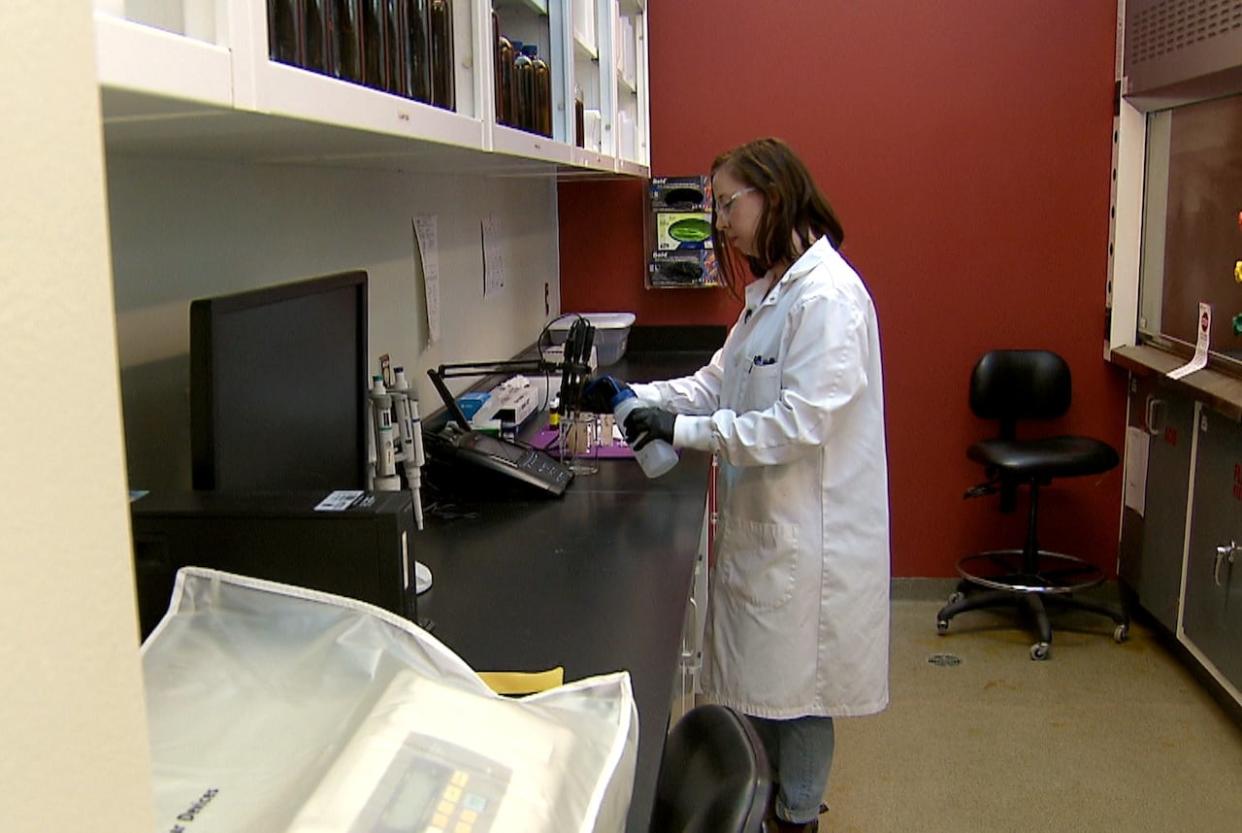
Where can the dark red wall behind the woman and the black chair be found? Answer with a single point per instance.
(967, 148)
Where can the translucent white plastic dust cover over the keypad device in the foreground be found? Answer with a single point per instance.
(275, 708)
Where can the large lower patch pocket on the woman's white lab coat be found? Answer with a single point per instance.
(758, 563)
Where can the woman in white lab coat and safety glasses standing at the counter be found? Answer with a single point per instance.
(793, 407)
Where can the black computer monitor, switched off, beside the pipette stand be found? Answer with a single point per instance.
(279, 387)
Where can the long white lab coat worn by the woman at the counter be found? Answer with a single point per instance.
(793, 404)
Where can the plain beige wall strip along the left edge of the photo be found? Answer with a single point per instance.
(73, 723)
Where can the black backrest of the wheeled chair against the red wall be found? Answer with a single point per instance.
(1010, 385)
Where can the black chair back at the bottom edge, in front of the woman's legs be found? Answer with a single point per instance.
(714, 778)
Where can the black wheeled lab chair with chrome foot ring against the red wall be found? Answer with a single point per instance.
(1013, 385)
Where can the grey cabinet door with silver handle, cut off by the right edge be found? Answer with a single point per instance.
(1213, 615)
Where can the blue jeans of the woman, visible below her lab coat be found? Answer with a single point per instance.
(800, 754)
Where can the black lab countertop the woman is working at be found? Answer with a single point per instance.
(596, 582)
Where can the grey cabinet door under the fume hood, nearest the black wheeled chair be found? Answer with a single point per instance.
(1153, 543)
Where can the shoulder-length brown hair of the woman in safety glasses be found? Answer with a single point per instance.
(794, 209)
